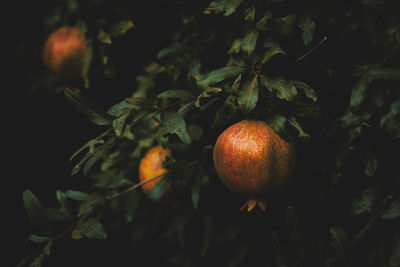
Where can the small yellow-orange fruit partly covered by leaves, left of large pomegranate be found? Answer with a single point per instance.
(151, 166)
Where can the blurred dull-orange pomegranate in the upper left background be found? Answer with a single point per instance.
(64, 52)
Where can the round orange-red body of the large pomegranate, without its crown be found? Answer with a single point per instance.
(251, 158)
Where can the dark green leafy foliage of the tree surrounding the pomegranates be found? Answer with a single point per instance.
(324, 74)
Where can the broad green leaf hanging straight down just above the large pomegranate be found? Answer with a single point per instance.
(248, 95)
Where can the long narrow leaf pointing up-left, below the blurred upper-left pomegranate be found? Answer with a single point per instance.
(88, 108)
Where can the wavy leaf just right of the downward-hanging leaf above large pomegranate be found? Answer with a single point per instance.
(282, 88)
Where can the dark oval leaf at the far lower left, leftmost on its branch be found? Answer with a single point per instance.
(36, 212)
